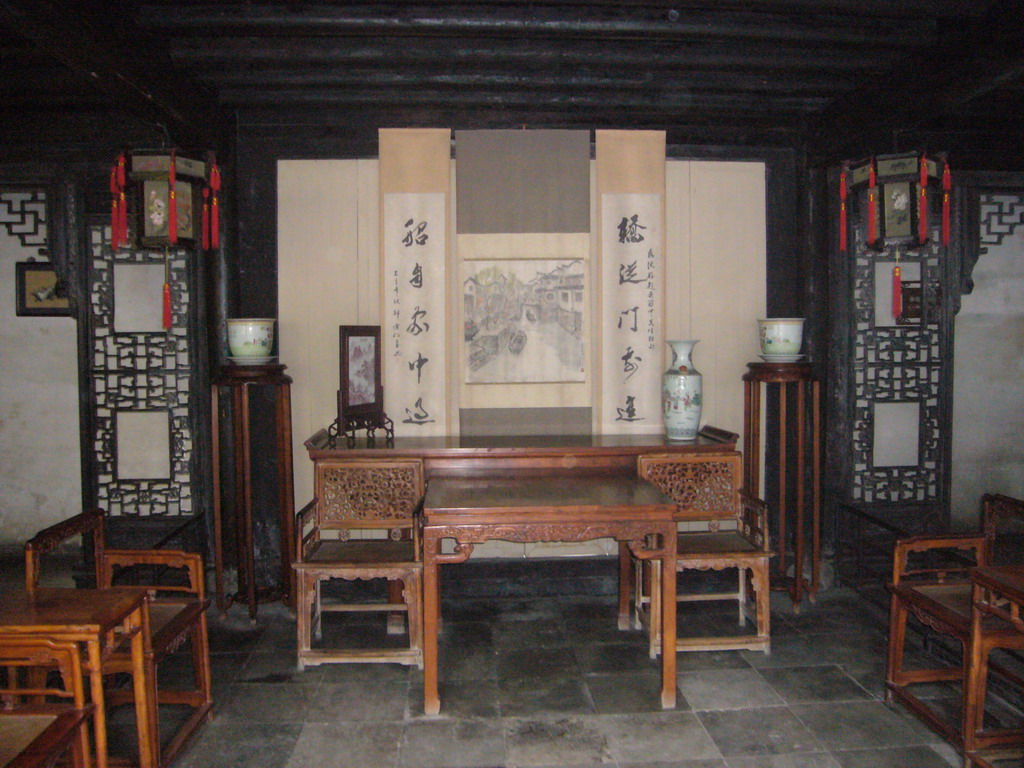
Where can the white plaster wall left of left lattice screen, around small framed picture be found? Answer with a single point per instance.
(40, 476)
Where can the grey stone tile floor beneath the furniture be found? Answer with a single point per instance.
(549, 681)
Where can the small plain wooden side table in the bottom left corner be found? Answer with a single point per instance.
(100, 620)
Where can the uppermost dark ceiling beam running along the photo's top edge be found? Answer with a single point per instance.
(619, 23)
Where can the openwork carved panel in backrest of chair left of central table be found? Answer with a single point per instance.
(378, 493)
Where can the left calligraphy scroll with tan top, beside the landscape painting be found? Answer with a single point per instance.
(415, 178)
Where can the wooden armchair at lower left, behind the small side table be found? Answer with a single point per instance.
(176, 613)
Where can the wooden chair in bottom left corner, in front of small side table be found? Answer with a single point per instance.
(38, 735)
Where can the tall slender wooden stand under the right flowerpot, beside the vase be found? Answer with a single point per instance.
(793, 477)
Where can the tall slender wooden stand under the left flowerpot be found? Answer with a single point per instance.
(240, 379)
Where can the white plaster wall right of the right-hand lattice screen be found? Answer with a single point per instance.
(989, 399)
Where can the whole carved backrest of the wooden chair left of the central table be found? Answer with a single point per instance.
(371, 495)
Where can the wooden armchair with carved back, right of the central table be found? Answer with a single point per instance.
(723, 528)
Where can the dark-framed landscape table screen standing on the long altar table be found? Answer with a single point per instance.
(362, 396)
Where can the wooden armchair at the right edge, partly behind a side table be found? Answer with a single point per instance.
(931, 580)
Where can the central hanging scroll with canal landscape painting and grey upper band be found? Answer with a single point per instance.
(523, 237)
